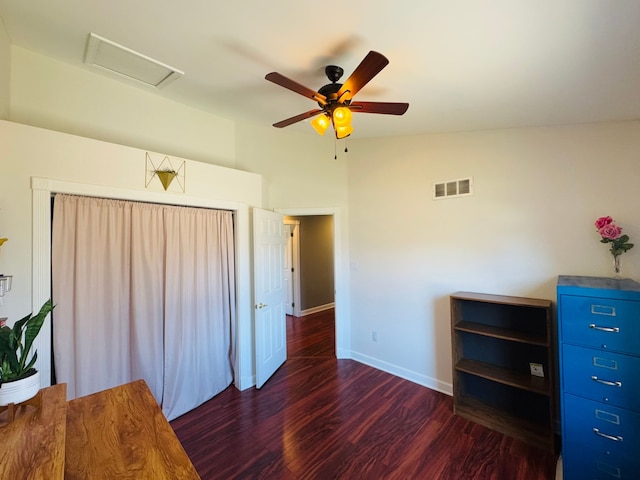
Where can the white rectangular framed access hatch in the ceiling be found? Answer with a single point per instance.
(124, 62)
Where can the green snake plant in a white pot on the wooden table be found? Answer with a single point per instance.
(19, 379)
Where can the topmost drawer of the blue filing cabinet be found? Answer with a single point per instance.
(606, 323)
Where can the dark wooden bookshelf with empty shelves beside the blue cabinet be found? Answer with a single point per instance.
(495, 338)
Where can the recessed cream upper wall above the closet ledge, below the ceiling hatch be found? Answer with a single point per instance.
(54, 95)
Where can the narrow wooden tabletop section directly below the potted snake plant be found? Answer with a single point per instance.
(32, 445)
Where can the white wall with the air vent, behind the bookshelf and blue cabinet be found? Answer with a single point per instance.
(537, 193)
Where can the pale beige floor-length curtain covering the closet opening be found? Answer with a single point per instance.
(143, 291)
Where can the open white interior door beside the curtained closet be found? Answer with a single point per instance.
(269, 246)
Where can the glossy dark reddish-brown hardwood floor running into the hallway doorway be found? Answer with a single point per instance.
(323, 418)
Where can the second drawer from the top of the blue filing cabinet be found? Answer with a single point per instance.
(607, 377)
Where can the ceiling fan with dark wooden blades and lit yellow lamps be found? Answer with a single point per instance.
(336, 99)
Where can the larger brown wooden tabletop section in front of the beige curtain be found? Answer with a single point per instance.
(121, 433)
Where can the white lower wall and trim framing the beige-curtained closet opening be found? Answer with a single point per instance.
(105, 169)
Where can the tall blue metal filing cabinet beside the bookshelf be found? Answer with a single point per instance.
(599, 353)
